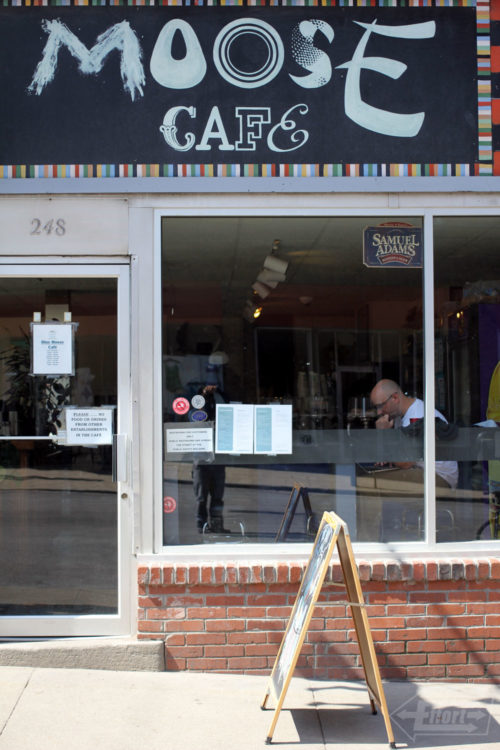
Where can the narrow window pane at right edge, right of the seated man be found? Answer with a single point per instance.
(467, 371)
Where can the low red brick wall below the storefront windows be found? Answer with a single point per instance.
(429, 620)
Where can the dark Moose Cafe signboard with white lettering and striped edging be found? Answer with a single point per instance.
(170, 90)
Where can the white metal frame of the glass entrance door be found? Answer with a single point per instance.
(23, 626)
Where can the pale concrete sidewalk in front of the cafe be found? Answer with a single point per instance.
(80, 709)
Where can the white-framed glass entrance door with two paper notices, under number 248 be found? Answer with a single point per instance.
(64, 438)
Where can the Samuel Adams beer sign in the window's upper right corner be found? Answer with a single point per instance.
(393, 246)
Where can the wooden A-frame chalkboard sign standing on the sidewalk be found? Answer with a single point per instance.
(332, 531)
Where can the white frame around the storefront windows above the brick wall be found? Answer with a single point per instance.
(373, 206)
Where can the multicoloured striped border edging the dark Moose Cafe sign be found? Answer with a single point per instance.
(487, 108)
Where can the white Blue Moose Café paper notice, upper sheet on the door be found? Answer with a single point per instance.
(52, 349)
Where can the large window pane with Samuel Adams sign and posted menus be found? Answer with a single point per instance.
(331, 325)
